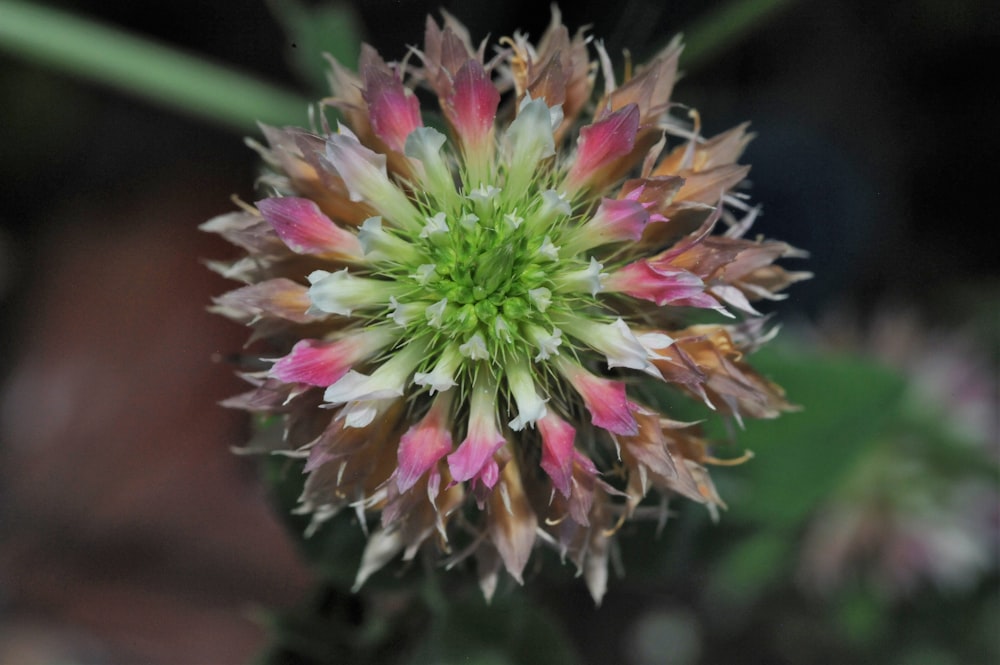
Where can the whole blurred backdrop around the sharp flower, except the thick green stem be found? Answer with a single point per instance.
(866, 529)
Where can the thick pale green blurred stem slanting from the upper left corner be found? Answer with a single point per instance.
(136, 66)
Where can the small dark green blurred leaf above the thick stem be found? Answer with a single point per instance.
(330, 28)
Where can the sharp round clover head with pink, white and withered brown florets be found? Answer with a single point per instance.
(464, 319)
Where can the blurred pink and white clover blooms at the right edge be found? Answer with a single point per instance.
(902, 521)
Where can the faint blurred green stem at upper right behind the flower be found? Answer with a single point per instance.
(725, 27)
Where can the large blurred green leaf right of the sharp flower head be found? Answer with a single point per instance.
(800, 458)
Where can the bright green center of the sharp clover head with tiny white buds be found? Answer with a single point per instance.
(483, 276)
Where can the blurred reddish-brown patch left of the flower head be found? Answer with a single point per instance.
(130, 531)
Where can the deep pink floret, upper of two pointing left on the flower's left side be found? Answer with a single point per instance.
(305, 229)
